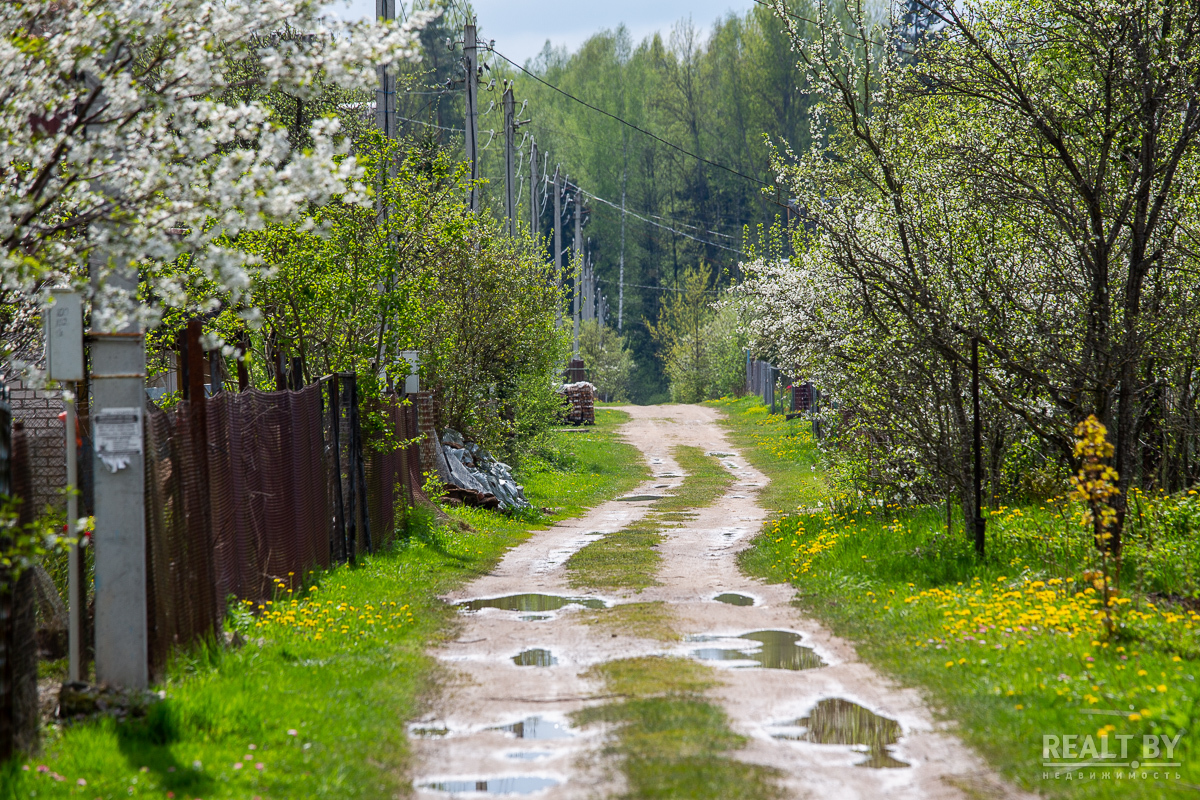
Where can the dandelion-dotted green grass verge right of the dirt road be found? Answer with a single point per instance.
(1010, 647)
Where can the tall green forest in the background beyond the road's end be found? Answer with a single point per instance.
(730, 94)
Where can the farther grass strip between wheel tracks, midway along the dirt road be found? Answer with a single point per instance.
(629, 560)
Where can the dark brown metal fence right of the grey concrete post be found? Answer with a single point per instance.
(283, 485)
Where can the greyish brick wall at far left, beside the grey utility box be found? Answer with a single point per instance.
(39, 411)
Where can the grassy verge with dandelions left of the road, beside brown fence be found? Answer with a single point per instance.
(325, 718)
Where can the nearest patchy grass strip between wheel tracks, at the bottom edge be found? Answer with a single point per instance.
(671, 742)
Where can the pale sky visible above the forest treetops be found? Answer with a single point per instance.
(523, 27)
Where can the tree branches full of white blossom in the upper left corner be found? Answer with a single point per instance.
(124, 140)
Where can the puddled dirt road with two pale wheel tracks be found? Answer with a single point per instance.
(501, 727)
